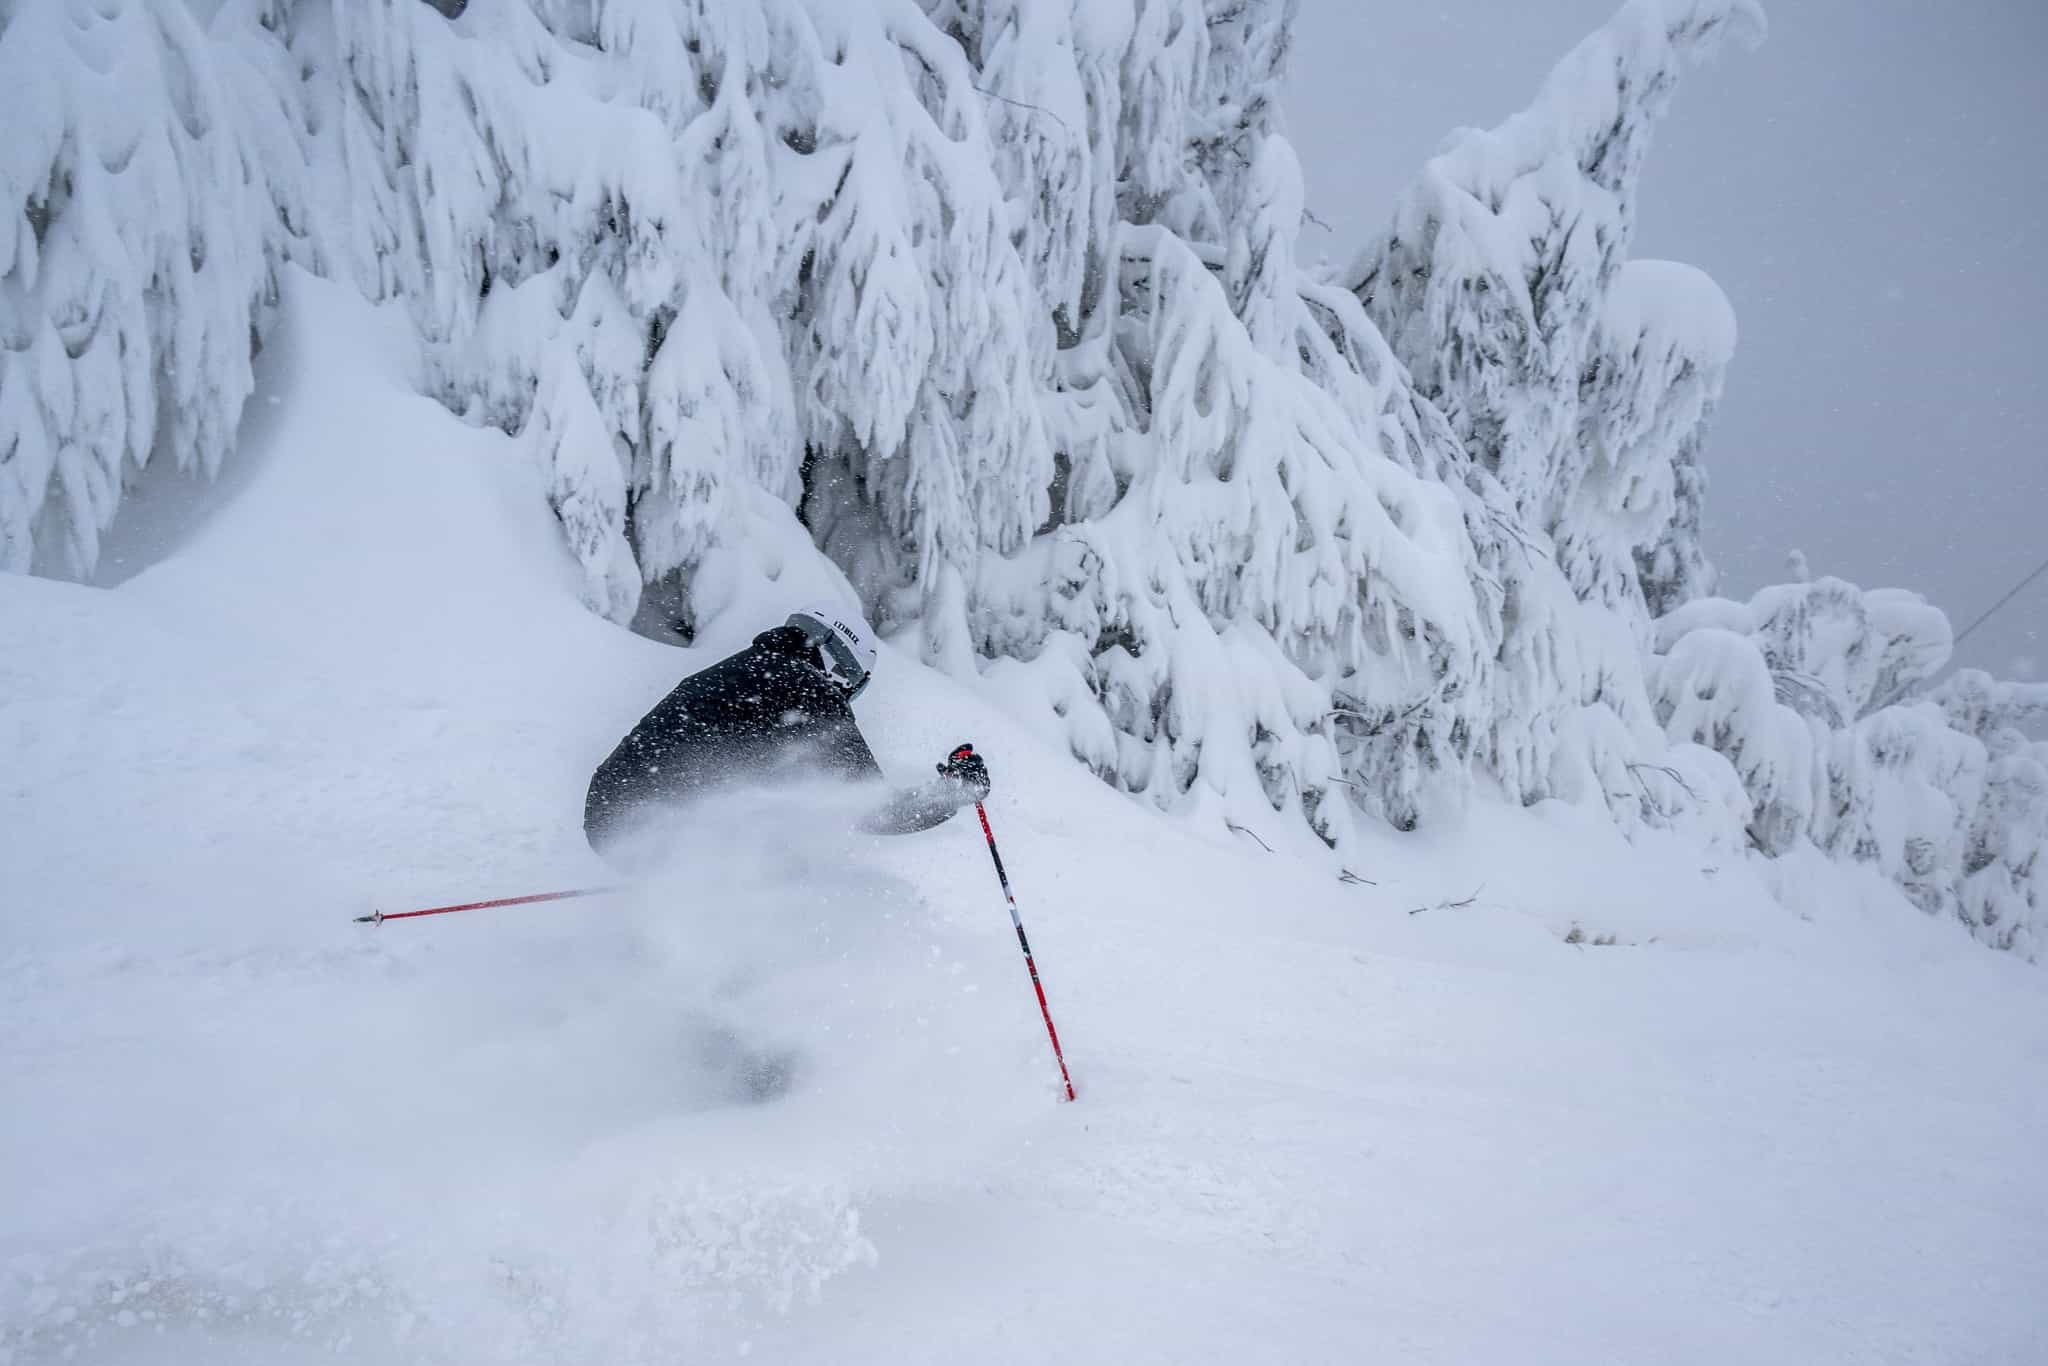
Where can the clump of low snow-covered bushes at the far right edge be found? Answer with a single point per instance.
(1816, 693)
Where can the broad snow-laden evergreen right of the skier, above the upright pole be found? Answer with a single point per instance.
(1263, 581)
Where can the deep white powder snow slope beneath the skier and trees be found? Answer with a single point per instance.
(1320, 1121)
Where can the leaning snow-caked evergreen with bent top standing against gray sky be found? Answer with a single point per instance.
(1578, 378)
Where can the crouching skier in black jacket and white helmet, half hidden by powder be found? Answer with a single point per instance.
(777, 710)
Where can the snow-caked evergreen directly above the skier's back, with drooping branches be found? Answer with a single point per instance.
(544, 187)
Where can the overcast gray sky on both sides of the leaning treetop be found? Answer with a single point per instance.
(1871, 187)
